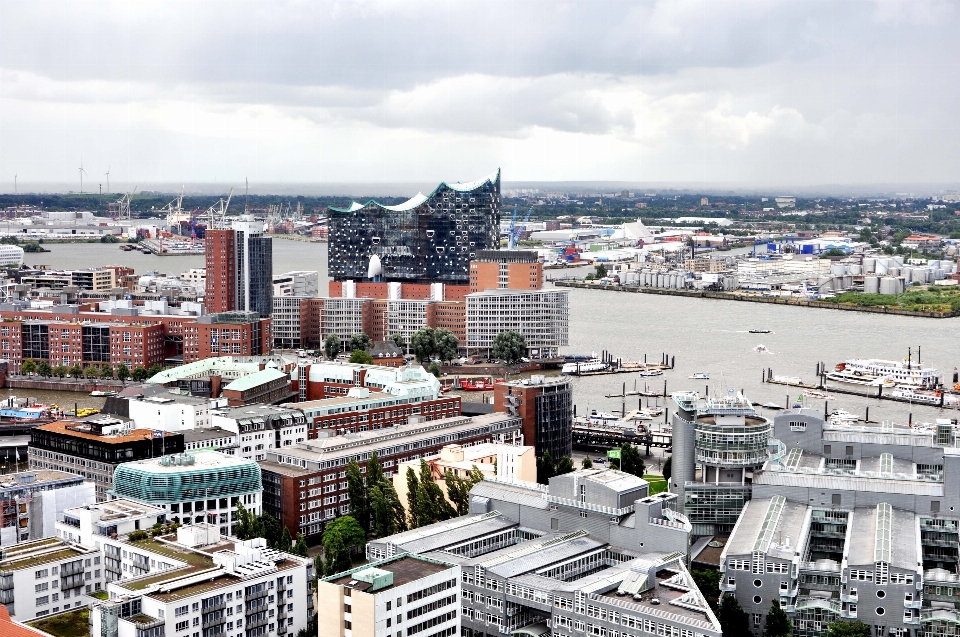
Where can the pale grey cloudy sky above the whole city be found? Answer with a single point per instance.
(752, 93)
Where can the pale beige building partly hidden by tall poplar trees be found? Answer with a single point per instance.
(507, 463)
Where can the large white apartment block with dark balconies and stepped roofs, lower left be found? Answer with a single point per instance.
(196, 581)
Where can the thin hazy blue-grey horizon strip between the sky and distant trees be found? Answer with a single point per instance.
(409, 189)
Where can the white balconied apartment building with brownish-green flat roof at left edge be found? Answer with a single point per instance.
(48, 576)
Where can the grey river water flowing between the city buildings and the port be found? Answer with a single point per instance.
(704, 335)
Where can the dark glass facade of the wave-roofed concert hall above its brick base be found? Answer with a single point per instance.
(428, 238)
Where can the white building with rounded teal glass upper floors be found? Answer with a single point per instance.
(205, 486)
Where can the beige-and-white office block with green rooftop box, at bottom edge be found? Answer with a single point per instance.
(403, 595)
